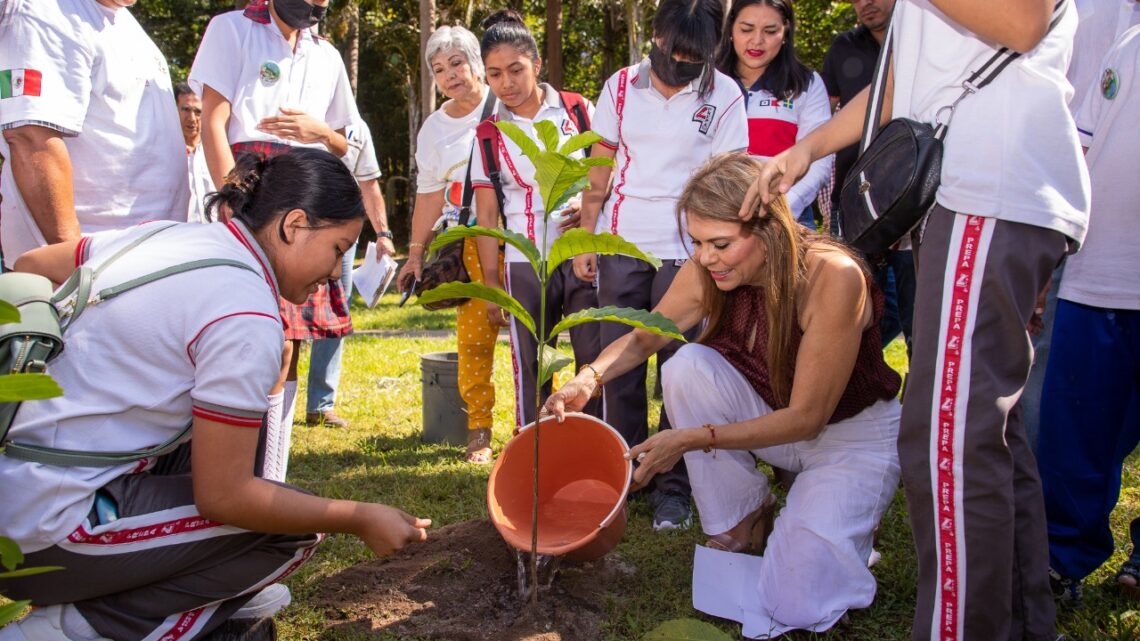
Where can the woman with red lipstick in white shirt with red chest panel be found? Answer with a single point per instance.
(786, 100)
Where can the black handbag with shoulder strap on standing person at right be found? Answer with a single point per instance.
(893, 184)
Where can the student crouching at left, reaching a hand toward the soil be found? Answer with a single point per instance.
(173, 547)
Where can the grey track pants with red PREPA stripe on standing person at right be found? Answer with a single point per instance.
(972, 482)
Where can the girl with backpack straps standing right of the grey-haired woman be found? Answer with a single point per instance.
(512, 66)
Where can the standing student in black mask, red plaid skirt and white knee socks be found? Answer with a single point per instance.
(268, 84)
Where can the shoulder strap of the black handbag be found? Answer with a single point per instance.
(978, 80)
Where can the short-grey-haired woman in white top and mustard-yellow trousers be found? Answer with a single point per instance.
(444, 149)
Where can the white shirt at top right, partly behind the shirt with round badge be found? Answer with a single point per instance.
(1101, 23)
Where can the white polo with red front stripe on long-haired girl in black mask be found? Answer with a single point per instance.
(659, 143)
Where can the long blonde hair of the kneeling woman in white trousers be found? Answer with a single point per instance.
(715, 192)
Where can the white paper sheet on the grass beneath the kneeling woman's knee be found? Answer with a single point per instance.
(726, 586)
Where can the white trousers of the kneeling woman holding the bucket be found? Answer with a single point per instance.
(816, 565)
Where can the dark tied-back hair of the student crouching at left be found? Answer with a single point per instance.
(259, 191)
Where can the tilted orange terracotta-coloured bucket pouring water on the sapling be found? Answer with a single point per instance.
(583, 485)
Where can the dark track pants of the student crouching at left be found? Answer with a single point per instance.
(161, 571)
